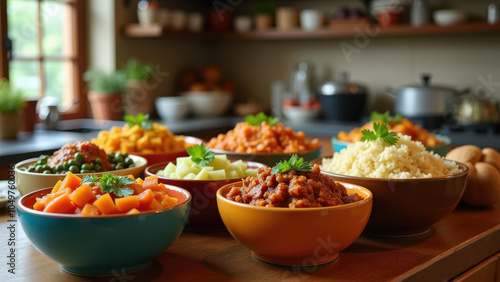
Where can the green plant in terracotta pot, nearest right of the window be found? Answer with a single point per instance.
(106, 93)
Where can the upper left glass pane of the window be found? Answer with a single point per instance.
(22, 16)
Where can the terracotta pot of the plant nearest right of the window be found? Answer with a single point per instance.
(106, 106)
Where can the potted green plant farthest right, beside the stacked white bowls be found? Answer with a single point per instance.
(139, 96)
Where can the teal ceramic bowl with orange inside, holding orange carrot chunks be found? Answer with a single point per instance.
(103, 245)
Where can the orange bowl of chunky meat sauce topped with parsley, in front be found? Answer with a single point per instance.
(294, 217)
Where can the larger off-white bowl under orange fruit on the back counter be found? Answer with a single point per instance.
(208, 104)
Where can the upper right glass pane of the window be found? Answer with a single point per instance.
(54, 24)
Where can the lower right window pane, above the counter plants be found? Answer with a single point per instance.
(59, 81)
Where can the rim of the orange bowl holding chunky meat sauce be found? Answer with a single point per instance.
(364, 190)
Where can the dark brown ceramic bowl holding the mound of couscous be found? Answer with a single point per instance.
(406, 207)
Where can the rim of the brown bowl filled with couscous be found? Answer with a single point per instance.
(464, 167)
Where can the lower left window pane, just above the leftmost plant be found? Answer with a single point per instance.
(24, 76)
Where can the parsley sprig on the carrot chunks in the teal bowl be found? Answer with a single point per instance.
(111, 183)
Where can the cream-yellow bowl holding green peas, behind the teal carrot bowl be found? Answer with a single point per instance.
(30, 181)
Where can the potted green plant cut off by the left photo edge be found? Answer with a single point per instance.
(12, 103)
